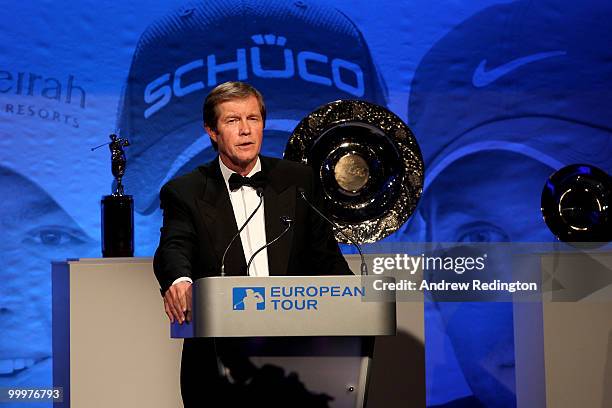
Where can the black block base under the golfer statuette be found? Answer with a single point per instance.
(117, 226)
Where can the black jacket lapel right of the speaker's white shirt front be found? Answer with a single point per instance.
(279, 200)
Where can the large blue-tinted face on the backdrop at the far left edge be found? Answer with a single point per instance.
(35, 230)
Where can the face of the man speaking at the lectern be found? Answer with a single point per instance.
(239, 133)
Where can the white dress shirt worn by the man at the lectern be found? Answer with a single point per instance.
(253, 236)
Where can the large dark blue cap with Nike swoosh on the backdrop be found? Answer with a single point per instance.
(530, 77)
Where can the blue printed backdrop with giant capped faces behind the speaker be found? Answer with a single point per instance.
(499, 95)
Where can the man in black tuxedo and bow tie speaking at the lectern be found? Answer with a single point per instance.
(203, 209)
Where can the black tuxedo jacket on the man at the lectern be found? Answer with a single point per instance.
(199, 222)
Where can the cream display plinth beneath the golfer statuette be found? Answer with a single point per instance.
(111, 345)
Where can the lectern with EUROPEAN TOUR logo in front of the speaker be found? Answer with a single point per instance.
(317, 330)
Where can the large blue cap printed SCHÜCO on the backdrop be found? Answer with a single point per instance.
(297, 53)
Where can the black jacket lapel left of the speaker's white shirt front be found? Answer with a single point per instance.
(219, 220)
